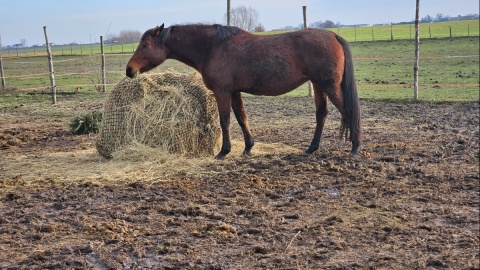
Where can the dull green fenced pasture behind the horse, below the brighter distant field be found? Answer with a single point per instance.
(449, 71)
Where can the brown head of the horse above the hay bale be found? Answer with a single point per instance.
(149, 54)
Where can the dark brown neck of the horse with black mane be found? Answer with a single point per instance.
(190, 46)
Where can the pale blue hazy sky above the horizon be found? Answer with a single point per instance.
(85, 21)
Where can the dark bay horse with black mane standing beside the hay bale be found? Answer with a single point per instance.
(232, 61)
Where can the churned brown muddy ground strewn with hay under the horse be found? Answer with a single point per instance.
(411, 201)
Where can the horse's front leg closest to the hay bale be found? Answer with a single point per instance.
(223, 105)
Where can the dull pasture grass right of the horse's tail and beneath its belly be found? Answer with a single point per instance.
(449, 70)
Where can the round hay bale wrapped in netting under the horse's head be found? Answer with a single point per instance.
(170, 111)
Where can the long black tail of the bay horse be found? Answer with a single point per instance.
(353, 123)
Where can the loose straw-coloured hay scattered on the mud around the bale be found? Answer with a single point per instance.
(136, 162)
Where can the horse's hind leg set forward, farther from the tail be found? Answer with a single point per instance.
(320, 115)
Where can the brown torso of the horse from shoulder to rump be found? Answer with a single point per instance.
(274, 64)
